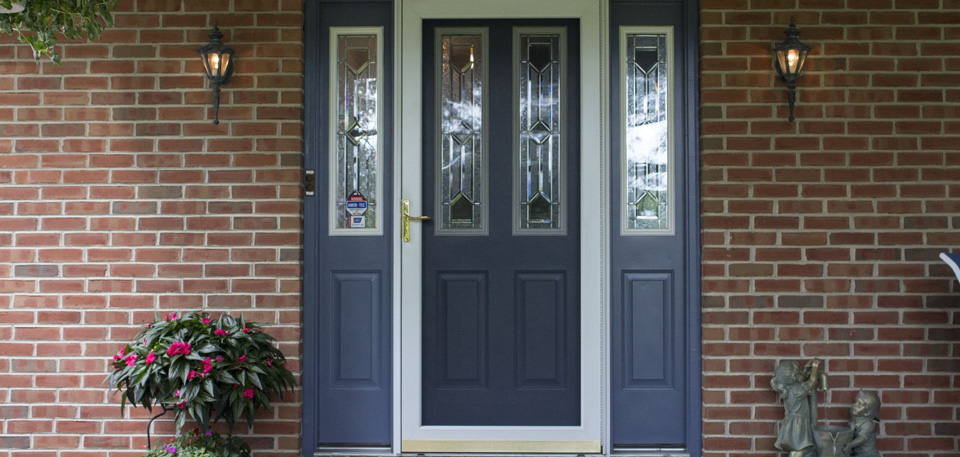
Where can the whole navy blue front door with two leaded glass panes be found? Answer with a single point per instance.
(501, 256)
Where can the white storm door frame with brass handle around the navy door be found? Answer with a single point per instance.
(409, 433)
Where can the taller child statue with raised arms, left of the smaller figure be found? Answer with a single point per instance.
(796, 390)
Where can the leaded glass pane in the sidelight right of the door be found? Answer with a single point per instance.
(647, 164)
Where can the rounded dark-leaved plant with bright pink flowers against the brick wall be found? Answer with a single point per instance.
(208, 368)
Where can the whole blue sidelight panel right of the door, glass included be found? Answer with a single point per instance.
(650, 244)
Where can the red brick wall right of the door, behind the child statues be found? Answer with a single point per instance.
(821, 236)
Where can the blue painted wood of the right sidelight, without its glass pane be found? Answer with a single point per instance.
(655, 315)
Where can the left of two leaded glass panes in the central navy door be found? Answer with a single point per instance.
(461, 174)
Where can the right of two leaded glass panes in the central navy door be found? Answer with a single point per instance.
(539, 148)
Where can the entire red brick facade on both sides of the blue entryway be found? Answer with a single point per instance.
(117, 197)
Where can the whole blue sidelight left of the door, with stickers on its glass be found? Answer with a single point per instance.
(348, 272)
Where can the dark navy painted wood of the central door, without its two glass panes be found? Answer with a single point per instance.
(511, 388)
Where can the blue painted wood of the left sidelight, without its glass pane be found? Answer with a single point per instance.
(347, 280)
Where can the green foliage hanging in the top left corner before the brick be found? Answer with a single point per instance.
(43, 20)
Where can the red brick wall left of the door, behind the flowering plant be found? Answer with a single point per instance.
(118, 197)
